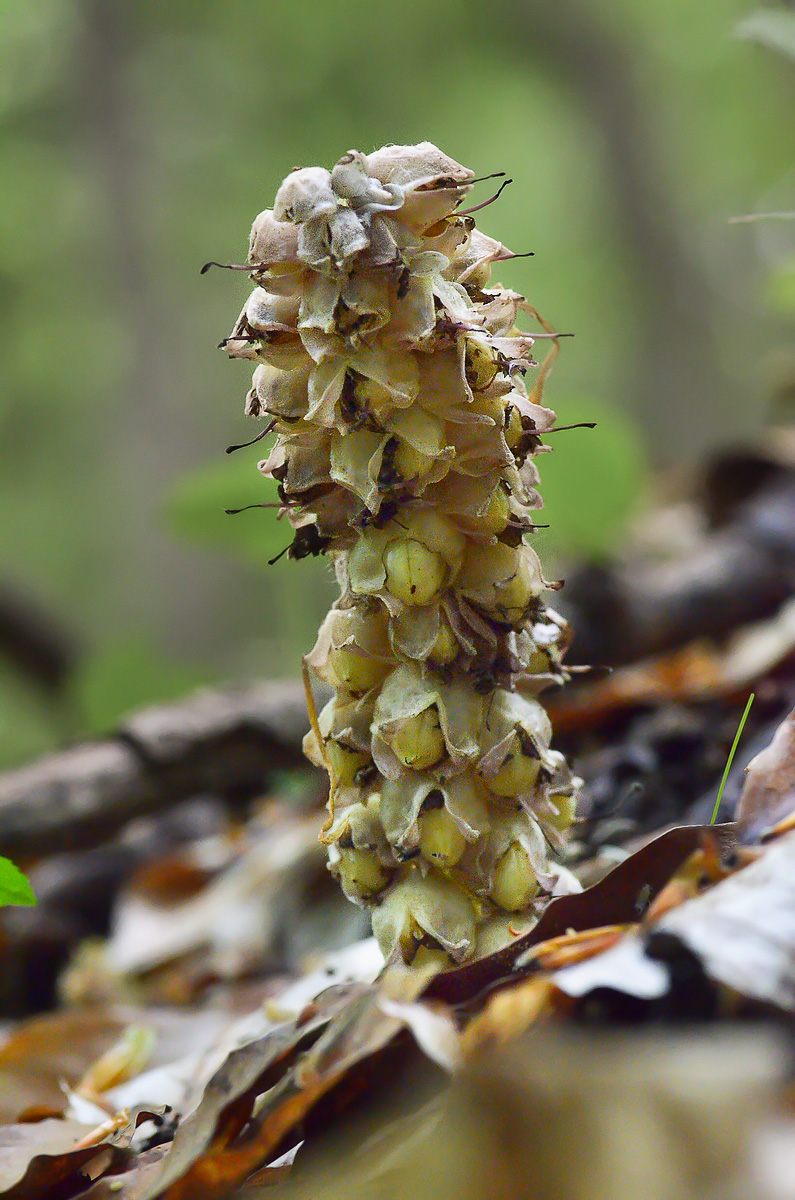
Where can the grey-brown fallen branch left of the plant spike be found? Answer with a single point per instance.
(218, 742)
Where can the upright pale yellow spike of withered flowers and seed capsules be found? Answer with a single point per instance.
(394, 375)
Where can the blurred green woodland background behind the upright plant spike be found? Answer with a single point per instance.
(140, 141)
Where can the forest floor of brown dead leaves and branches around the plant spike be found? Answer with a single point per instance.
(193, 1011)
